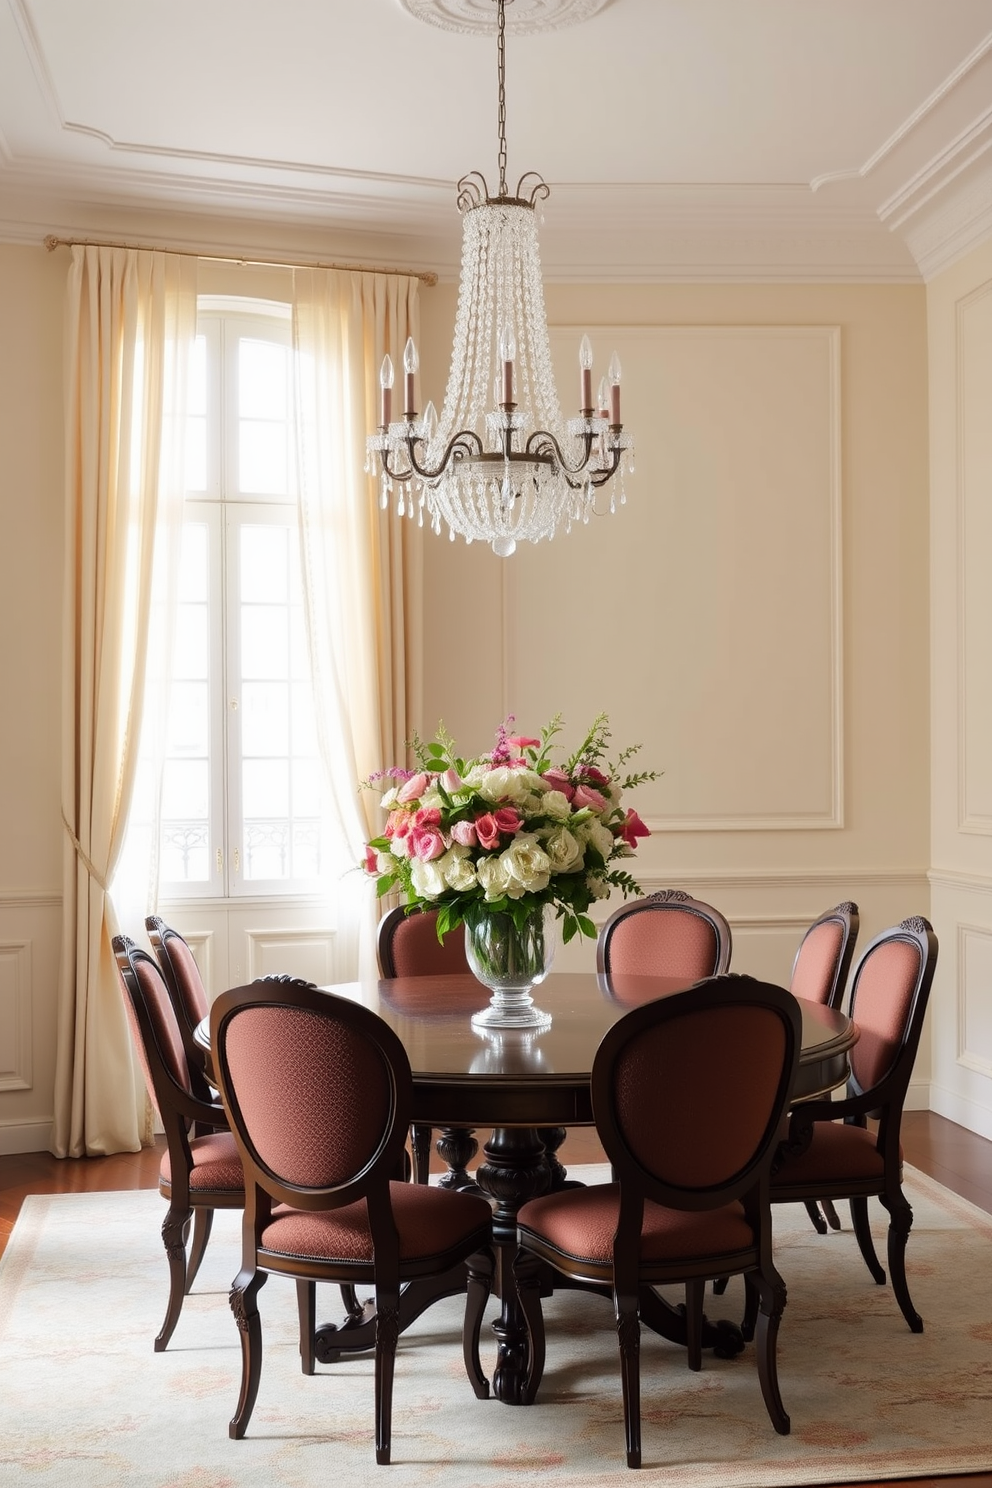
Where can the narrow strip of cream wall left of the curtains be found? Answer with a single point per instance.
(32, 285)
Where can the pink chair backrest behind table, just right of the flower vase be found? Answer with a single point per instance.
(667, 934)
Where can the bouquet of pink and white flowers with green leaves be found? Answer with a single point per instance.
(509, 831)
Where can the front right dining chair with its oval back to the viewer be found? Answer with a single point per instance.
(679, 1209)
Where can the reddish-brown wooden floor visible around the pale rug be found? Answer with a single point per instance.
(951, 1155)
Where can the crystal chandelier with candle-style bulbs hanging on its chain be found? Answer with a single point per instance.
(500, 465)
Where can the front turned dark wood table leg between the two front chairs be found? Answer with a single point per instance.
(514, 1172)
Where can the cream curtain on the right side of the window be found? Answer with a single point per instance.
(362, 566)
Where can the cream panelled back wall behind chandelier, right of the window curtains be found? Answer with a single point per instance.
(724, 554)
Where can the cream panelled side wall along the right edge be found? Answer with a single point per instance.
(960, 315)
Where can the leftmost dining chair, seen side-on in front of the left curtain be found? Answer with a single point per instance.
(200, 1170)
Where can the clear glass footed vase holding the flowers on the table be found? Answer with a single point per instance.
(511, 961)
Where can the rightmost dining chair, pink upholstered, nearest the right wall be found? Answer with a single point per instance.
(832, 1152)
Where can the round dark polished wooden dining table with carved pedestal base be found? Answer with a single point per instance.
(526, 1090)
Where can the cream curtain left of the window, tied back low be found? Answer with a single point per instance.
(132, 318)
